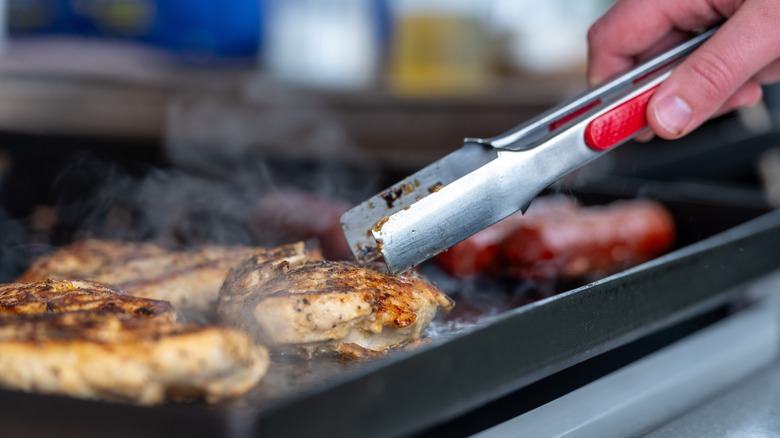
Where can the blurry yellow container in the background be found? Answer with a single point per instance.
(439, 54)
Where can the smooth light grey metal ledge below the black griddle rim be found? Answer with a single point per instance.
(657, 388)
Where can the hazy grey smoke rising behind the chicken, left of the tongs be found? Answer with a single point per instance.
(224, 155)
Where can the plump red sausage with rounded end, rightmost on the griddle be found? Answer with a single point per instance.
(596, 241)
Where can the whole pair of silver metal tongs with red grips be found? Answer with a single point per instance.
(487, 180)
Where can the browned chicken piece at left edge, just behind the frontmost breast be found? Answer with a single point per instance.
(75, 295)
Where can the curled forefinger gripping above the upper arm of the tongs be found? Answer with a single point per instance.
(632, 27)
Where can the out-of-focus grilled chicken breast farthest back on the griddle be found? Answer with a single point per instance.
(190, 280)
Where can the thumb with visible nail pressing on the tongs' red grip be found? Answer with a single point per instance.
(703, 83)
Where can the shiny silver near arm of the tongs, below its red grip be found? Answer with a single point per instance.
(482, 197)
